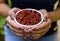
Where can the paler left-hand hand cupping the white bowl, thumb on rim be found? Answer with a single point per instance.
(12, 25)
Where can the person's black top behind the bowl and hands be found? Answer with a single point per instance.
(36, 4)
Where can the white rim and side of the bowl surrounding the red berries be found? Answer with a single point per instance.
(29, 26)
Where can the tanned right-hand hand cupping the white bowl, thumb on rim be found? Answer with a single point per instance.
(43, 28)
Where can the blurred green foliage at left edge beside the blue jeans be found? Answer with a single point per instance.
(2, 22)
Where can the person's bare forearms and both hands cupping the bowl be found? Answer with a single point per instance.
(43, 28)
